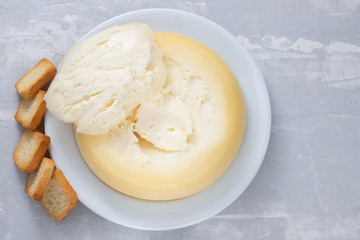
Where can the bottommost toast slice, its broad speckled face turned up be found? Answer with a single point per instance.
(60, 198)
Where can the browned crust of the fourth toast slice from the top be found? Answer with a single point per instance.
(48, 168)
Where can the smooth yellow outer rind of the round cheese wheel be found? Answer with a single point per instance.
(166, 177)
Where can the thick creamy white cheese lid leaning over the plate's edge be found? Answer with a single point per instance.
(102, 79)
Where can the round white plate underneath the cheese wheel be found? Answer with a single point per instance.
(135, 213)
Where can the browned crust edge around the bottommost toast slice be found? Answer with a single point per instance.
(69, 191)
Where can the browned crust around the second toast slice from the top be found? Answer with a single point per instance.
(35, 119)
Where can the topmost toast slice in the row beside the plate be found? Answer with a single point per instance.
(34, 79)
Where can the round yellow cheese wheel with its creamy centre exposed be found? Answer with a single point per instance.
(182, 141)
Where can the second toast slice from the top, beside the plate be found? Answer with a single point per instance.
(31, 110)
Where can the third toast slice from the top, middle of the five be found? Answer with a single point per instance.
(30, 150)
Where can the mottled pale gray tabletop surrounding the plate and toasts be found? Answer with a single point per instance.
(309, 53)
